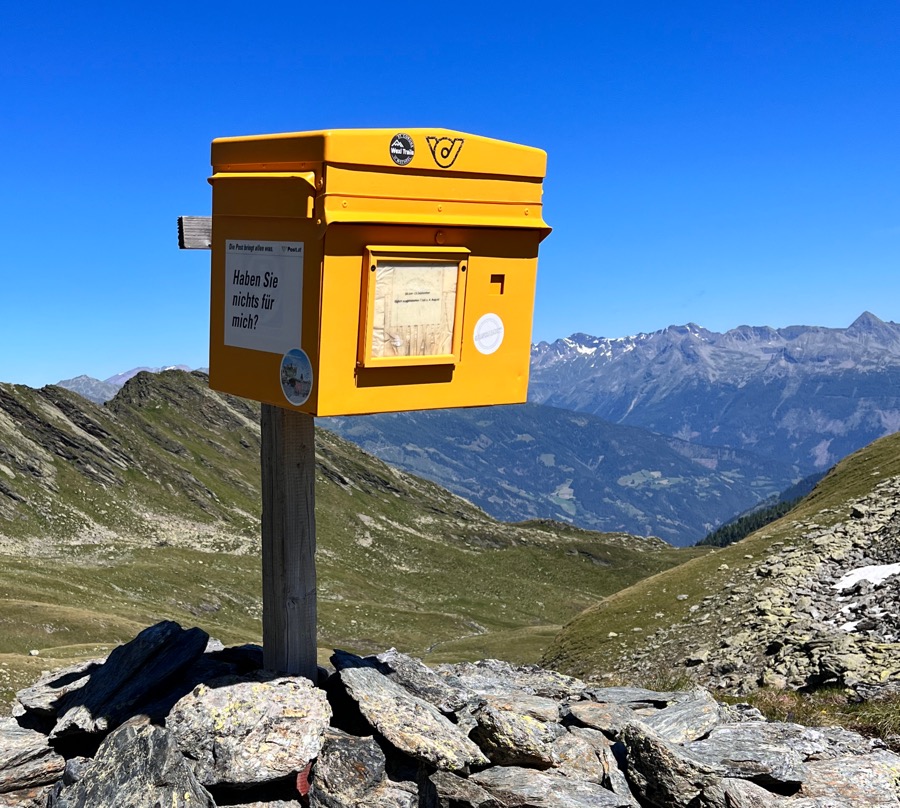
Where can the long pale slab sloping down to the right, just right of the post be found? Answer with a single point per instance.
(412, 725)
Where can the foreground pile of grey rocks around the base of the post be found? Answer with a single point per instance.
(171, 719)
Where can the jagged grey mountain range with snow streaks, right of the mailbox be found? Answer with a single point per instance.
(803, 395)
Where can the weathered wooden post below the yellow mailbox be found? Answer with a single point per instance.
(288, 456)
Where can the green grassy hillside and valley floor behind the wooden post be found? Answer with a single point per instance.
(148, 508)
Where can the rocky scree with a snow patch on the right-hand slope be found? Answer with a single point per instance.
(820, 609)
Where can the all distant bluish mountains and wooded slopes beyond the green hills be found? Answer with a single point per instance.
(667, 434)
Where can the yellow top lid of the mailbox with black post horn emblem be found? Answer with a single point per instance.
(431, 150)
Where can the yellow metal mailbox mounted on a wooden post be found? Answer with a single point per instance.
(361, 271)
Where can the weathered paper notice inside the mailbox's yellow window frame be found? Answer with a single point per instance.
(415, 305)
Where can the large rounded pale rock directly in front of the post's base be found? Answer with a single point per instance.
(249, 730)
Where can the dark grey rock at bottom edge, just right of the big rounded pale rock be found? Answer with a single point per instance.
(348, 769)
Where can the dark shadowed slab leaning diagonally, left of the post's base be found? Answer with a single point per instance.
(133, 673)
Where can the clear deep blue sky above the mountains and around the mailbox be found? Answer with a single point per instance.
(716, 162)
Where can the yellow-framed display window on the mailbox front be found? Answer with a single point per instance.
(413, 308)
